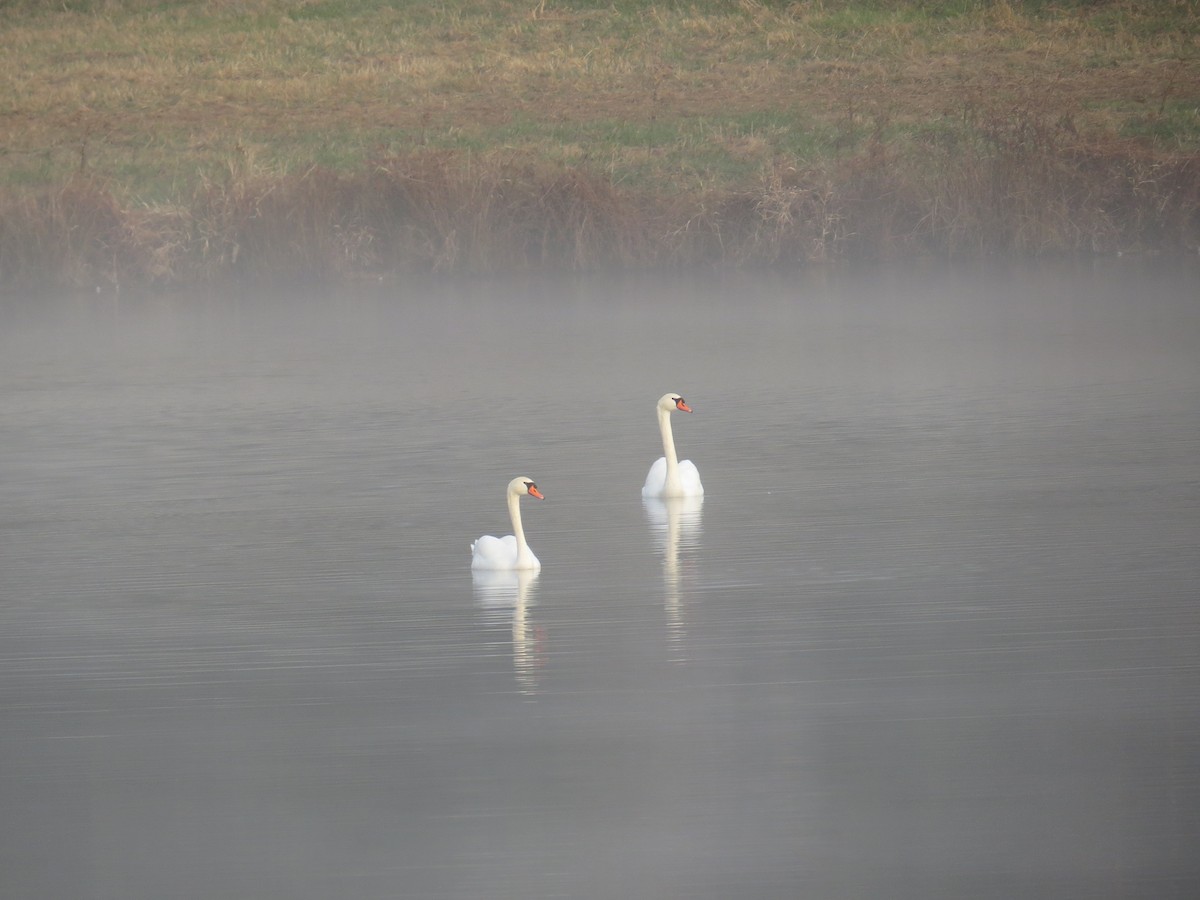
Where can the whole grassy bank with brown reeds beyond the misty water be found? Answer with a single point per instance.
(185, 142)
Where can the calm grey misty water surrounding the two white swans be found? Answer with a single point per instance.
(934, 632)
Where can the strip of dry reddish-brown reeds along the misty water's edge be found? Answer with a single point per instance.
(1024, 191)
